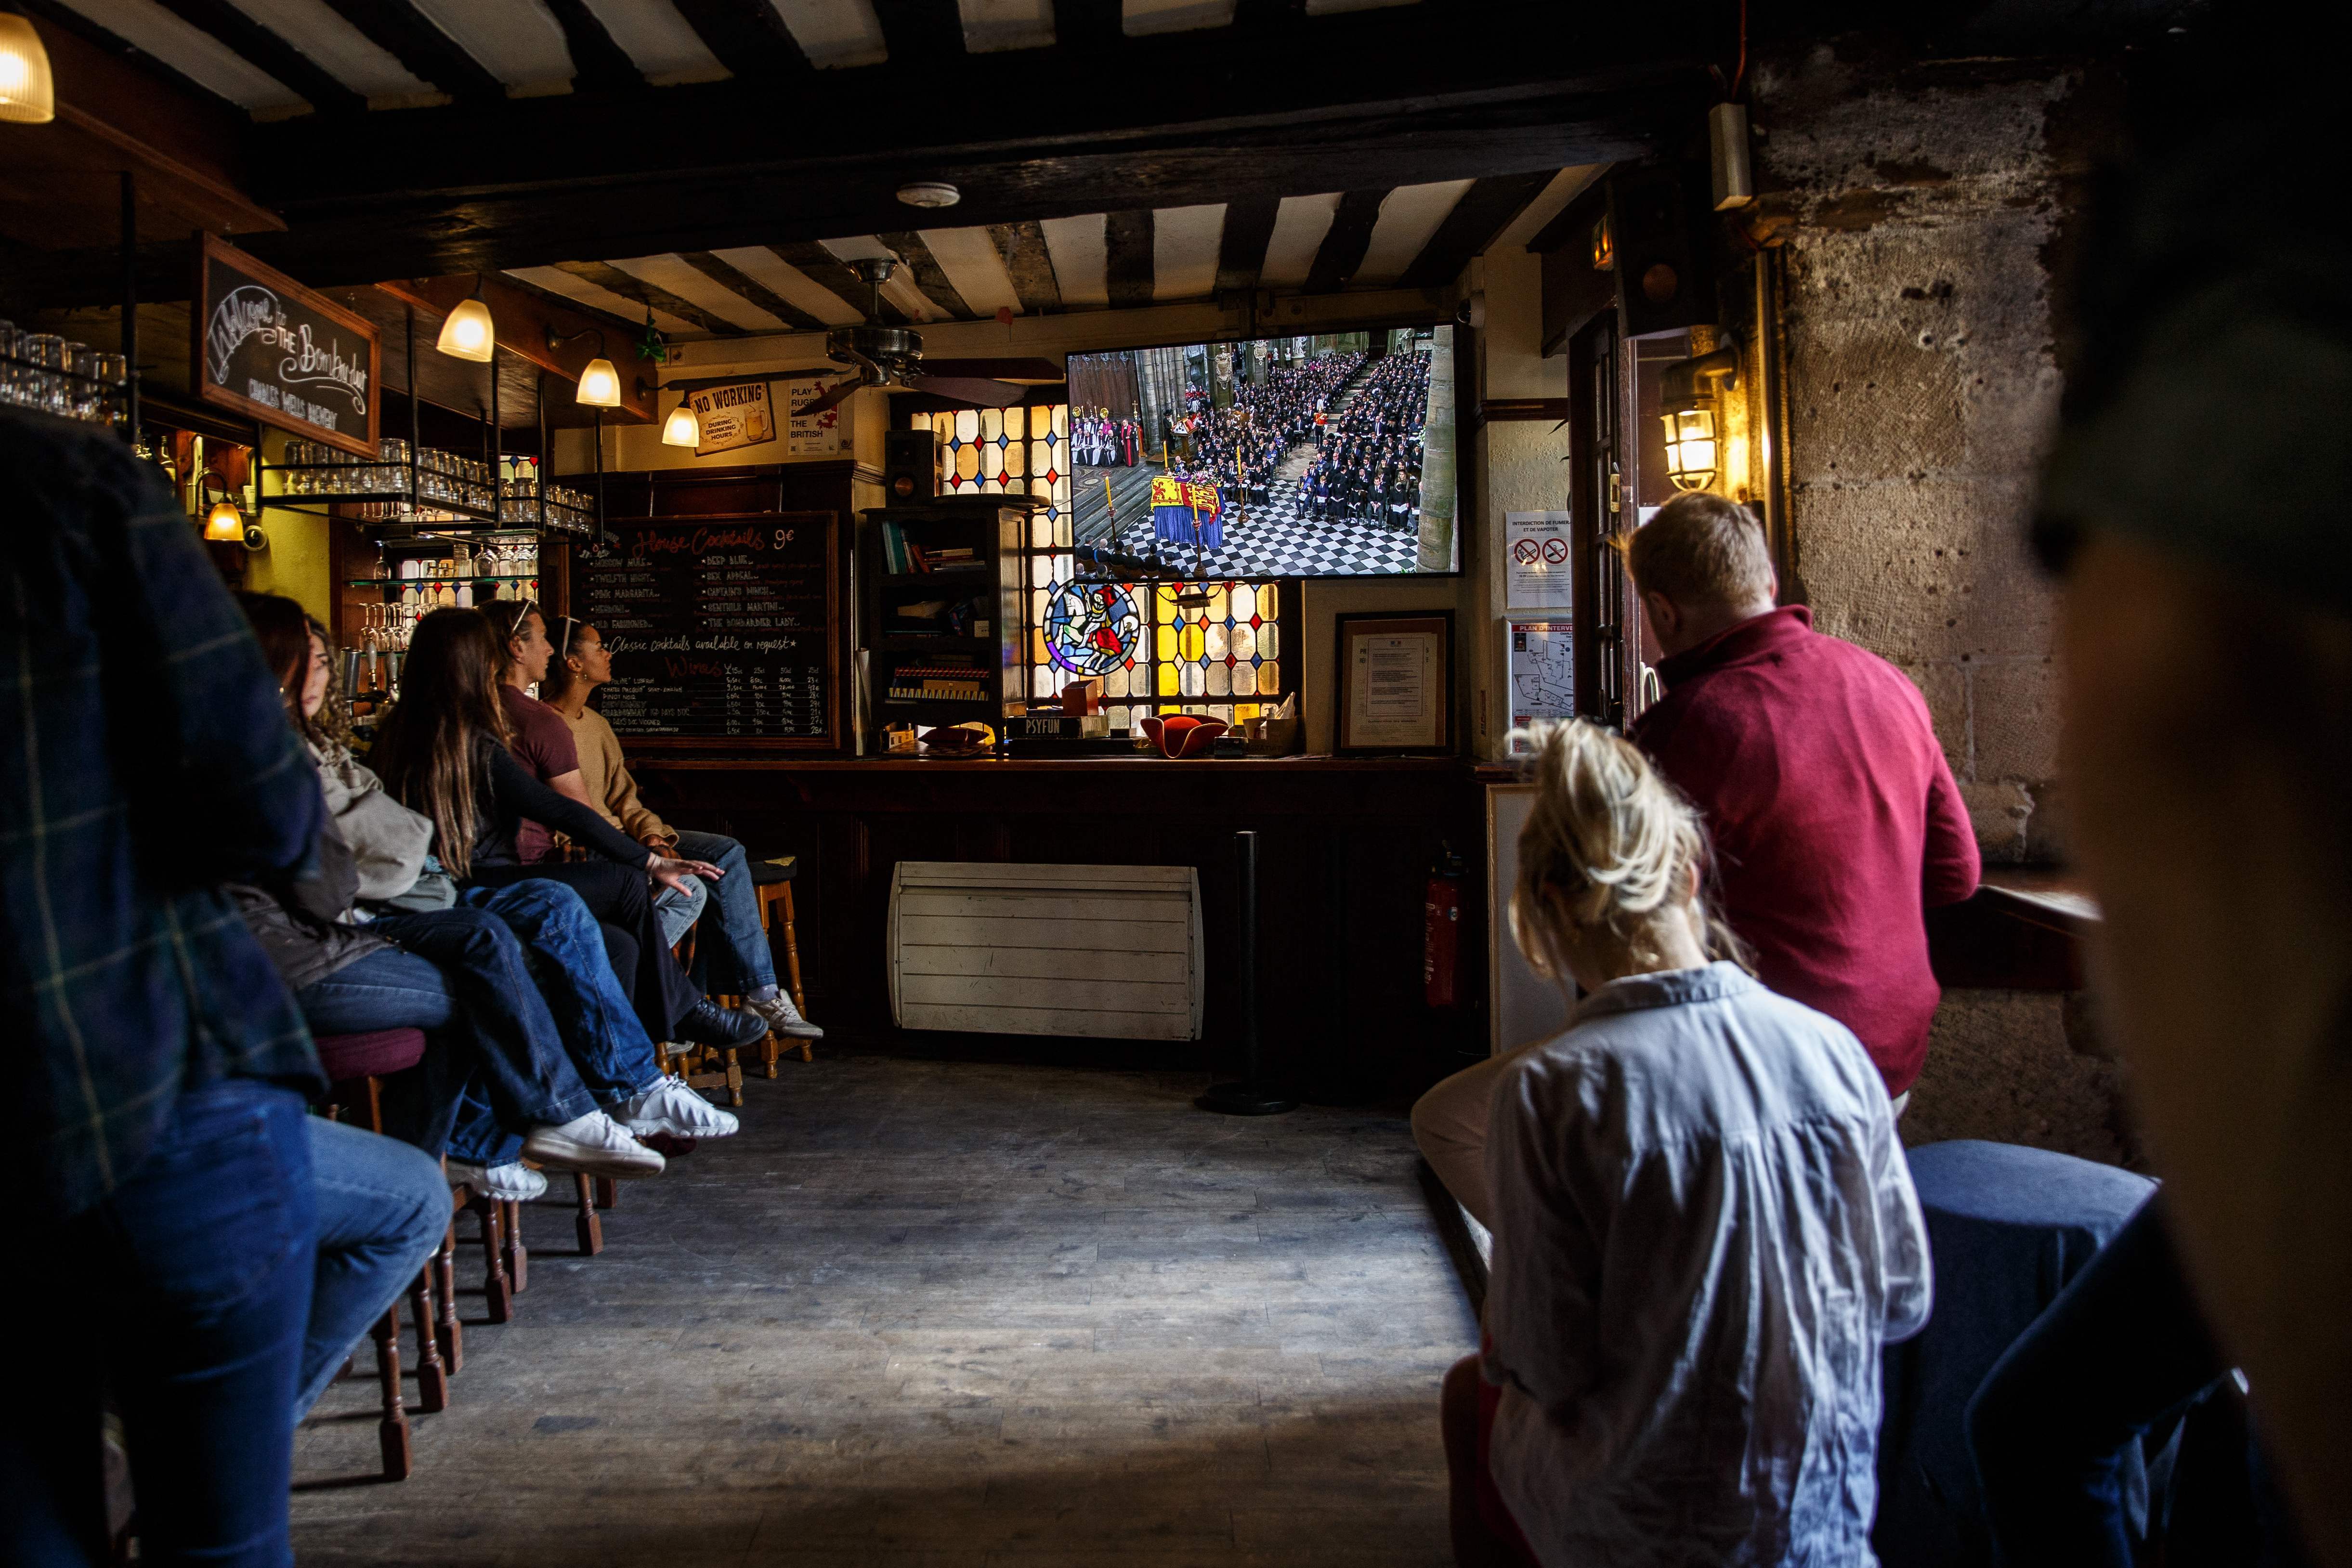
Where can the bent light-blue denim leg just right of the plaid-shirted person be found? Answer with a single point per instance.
(382, 1209)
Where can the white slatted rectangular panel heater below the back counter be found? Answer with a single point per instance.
(1045, 949)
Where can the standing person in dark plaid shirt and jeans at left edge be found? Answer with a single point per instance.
(159, 1066)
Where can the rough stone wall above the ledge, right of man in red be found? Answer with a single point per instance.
(1918, 213)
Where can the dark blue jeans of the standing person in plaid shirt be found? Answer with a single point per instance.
(192, 1287)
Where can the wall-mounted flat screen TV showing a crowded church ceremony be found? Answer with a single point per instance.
(1299, 457)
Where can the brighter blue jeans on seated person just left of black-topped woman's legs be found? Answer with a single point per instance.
(596, 1024)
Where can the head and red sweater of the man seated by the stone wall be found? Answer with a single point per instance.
(1819, 777)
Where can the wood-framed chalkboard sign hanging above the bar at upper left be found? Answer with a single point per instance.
(283, 354)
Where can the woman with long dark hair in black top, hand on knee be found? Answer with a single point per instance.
(443, 753)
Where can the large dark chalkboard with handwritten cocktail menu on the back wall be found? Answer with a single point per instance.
(721, 629)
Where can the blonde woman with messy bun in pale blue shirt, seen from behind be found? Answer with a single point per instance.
(1704, 1228)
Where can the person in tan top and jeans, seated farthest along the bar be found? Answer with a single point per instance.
(582, 664)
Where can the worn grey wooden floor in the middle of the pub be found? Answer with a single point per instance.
(937, 1313)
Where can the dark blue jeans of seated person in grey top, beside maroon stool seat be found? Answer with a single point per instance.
(467, 984)
